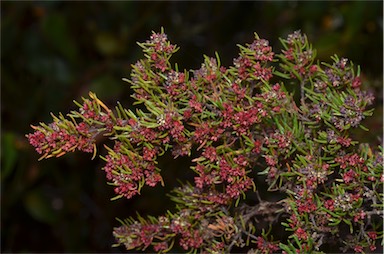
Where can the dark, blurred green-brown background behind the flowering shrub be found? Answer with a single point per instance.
(53, 52)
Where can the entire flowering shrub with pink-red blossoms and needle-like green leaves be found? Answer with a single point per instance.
(277, 120)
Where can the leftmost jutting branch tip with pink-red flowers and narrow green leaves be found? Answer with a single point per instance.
(62, 136)
